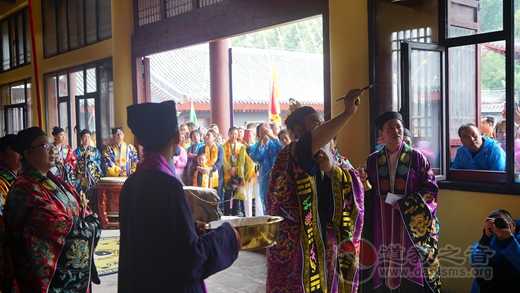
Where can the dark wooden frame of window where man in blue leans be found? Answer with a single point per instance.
(474, 180)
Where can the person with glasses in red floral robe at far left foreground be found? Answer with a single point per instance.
(52, 233)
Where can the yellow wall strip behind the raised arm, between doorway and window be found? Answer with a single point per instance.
(349, 69)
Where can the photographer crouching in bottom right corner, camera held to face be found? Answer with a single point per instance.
(496, 257)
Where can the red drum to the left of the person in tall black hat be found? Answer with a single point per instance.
(107, 193)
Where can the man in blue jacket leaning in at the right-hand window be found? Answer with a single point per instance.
(477, 152)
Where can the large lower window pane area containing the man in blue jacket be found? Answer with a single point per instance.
(477, 96)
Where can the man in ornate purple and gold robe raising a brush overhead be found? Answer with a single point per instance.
(322, 205)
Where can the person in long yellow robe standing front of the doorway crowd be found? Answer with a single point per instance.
(234, 176)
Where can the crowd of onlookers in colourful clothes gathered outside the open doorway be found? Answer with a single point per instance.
(238, 166)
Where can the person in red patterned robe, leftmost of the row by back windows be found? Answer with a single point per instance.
(65, 165)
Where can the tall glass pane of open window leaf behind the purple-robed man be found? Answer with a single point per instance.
(426, 105)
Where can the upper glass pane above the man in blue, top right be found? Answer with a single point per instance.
(472, 17)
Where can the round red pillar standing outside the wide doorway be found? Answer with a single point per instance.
(219, 76)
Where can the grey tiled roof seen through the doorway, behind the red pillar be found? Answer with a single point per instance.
(184, 75)
